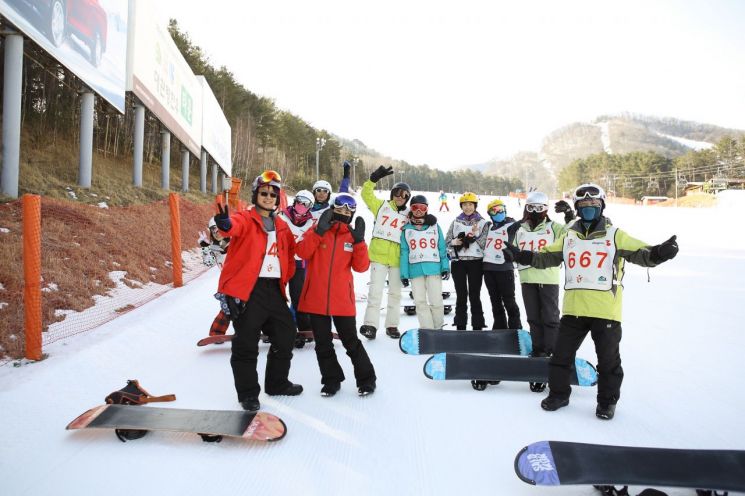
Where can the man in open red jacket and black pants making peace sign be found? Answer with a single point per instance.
(252, 292)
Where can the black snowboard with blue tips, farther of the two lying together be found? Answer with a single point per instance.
(503, 341)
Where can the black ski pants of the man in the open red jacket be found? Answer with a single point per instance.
(266, 310)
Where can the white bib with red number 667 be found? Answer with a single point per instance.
(589, 262)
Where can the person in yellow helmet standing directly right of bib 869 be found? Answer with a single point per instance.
(466, 239)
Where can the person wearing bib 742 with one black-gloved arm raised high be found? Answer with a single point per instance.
(385, 252)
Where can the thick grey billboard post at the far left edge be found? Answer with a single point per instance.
(13, 45)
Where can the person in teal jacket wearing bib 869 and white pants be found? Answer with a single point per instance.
(424, 262)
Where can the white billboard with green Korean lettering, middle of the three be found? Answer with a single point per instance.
(160, 77)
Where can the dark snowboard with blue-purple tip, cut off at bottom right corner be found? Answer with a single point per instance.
(554, 463)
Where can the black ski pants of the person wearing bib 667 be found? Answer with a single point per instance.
(607, 336)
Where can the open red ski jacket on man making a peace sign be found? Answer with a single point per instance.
(247, 248)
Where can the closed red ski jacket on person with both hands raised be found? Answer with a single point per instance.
(329, 285)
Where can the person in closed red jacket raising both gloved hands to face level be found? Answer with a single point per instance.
(333, 249)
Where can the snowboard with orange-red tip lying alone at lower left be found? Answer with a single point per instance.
(256, 426)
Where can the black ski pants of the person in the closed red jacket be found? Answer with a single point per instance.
(346, 328)
